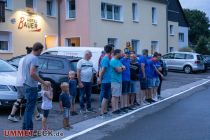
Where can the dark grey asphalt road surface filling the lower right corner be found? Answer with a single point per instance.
(188, 119)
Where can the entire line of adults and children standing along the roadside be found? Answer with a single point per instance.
(126, 80)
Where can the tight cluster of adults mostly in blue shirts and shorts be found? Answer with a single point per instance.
(128, 80)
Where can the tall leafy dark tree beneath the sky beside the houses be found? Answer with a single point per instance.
(199, 25)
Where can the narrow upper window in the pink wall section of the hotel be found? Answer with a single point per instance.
(71, 9)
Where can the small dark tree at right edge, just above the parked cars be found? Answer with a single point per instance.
(202, 46)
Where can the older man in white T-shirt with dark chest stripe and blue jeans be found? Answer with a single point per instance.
(85, 72)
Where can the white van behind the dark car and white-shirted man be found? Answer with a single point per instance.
(77, 52)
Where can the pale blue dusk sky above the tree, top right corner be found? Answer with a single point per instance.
(203, 5)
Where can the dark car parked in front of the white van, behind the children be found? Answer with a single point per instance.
(55, 69)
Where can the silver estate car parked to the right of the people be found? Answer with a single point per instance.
(186, 61)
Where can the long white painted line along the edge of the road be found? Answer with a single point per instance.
(130, 113)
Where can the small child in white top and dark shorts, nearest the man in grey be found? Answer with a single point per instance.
(47, 97)
